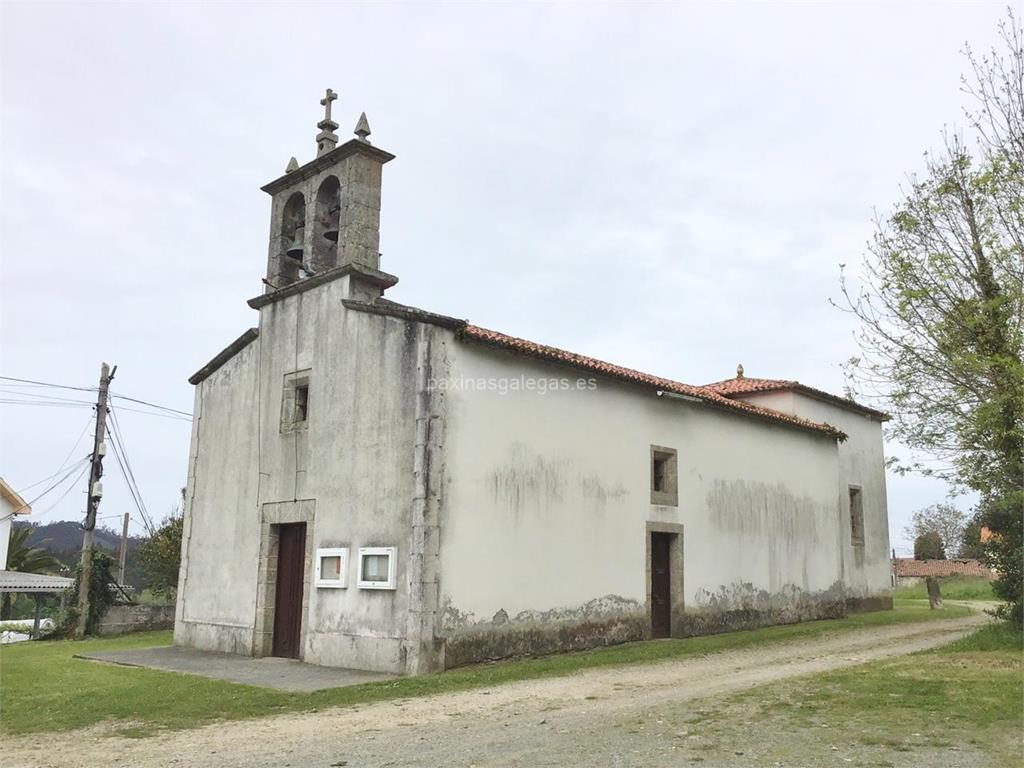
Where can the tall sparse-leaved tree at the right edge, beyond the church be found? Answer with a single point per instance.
(942, 311)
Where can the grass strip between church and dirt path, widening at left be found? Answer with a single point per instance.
(44, 689)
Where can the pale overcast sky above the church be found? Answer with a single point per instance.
(670, 188)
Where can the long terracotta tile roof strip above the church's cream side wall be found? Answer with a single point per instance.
(705, 395)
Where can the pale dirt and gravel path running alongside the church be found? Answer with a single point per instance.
(566, 721)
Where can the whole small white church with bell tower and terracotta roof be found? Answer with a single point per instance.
(378, 487)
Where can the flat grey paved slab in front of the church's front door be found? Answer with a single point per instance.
(269, 672)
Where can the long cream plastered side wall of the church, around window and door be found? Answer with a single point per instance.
(549, 496)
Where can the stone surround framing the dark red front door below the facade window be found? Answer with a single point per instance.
(273, 516)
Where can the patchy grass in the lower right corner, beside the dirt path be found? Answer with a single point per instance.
(961, 704)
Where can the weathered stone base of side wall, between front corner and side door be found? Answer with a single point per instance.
(539, 639)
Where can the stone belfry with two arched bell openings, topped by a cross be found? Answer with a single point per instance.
(325, 216)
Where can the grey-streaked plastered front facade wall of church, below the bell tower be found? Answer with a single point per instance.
(354, 462)
